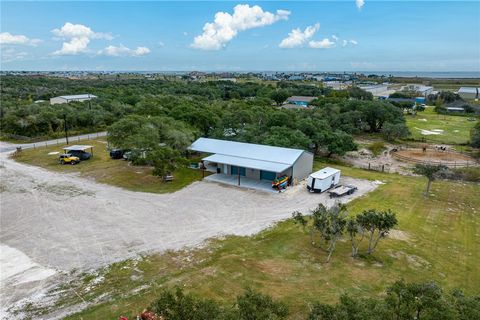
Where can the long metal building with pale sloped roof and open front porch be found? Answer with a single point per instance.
(254, 161)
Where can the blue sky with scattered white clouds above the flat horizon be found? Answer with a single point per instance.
(165, 36)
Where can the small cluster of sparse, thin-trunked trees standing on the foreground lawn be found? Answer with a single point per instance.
(331, 224)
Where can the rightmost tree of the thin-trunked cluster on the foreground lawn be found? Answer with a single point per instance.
(376, 224)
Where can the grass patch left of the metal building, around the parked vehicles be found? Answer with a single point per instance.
(102, 169)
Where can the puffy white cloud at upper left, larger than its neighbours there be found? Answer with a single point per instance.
(77, 38)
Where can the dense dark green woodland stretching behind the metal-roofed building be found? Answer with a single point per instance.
(222, 109)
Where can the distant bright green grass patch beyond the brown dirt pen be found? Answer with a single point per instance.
(456, 129)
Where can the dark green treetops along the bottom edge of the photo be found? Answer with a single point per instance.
(401, 301)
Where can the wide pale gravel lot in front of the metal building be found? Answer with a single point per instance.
(52, 221)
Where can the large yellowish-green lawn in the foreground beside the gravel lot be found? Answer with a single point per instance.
(440, 241)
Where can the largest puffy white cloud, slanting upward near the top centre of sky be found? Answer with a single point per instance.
(226, 26)
